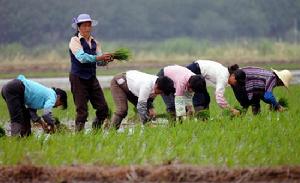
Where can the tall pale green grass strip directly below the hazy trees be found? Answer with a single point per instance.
(174, 49)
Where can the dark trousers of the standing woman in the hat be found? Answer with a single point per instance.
(85, 90)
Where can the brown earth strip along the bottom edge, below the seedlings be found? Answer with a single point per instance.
(159, 173)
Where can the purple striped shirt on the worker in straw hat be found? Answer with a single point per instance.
(258, 79)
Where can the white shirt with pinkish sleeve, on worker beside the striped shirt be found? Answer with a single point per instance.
(218, 75)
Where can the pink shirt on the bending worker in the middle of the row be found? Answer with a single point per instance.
(180, 76)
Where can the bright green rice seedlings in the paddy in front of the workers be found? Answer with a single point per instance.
(268, 139)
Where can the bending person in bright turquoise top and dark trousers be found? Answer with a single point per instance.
(24, 97)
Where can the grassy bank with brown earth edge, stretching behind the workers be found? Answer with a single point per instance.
(53, 60)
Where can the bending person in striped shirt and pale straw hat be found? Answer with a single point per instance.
(252, 84)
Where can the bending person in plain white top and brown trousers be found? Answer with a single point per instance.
(140, 89)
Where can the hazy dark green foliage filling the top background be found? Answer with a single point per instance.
(40, 22)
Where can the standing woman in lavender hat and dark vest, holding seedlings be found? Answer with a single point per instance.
(85, 54)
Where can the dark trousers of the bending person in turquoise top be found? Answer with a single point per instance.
(13, 94)
